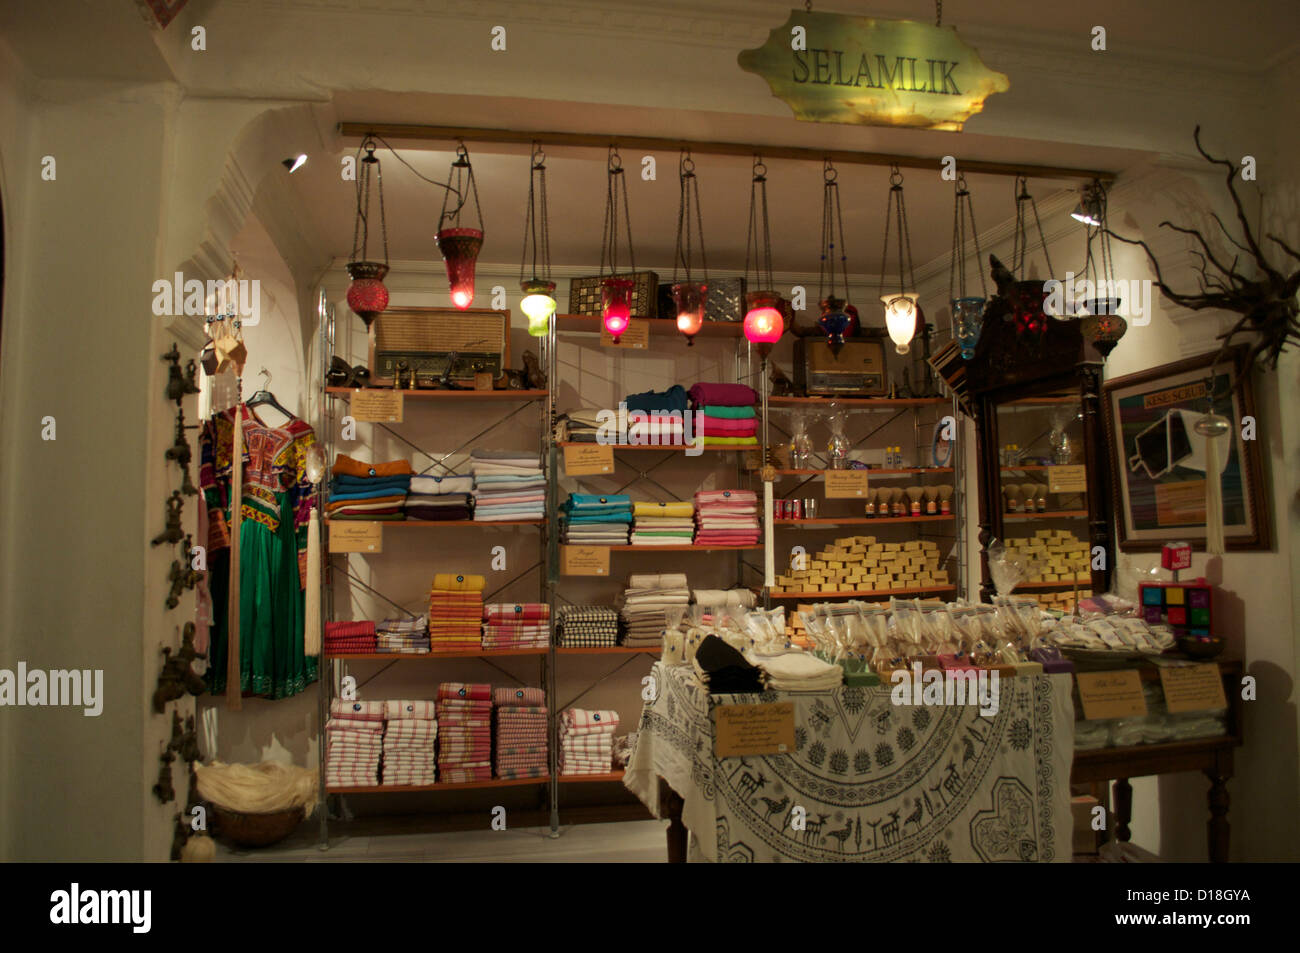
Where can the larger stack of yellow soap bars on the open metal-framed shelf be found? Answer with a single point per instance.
(859, 564)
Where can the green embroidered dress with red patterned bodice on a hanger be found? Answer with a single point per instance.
(278, 501)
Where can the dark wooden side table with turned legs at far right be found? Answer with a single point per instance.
(1214, 757)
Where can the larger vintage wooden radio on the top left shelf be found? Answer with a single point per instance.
(426, 340)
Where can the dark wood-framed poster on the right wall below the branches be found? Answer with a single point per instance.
(1159, 462)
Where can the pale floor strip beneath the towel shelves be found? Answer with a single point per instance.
(631, 842)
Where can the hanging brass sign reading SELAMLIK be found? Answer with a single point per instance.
(874, 72)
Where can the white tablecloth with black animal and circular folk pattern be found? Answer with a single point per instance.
(876, 781)
